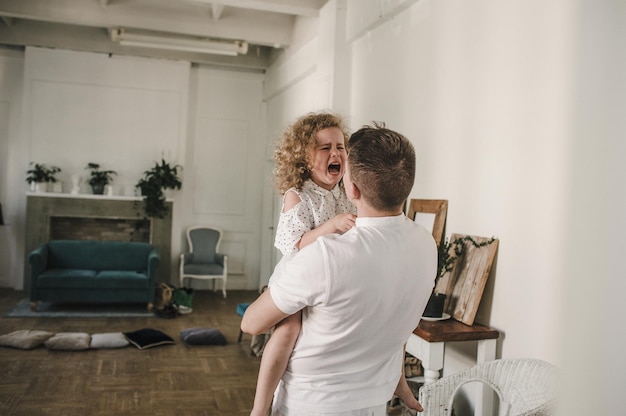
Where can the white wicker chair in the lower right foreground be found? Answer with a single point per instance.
(525, 387)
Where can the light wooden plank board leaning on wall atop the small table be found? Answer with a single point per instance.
(465, 283)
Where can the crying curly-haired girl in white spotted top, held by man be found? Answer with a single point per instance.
(309, 164)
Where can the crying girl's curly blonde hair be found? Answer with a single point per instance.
(292, 155)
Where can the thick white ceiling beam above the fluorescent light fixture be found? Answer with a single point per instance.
(184, 17)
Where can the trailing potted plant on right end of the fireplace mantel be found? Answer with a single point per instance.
(154, 181)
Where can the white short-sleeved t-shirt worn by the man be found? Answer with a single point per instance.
(362, 294)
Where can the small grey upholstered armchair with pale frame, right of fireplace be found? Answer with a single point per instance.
(203, 260)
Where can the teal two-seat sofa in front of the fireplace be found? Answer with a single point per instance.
(85, 271)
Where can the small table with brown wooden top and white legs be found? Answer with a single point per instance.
(427, 342)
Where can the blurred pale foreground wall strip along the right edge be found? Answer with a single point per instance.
(592, 338)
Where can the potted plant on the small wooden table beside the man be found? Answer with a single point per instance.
(448, 252)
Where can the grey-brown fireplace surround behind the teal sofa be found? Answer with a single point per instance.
(42, 208)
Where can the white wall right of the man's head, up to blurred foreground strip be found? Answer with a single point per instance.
(484, 100)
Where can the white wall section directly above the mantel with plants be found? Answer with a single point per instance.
(123, 113)
